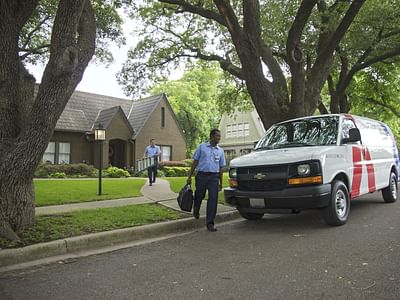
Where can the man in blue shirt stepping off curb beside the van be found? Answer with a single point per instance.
(208, 159)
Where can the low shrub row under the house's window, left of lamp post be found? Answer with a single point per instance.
(70, 170)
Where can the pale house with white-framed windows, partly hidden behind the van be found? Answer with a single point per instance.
(239, 132)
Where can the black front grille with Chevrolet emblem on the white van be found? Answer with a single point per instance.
(263, 178)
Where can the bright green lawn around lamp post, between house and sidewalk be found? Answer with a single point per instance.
(63, 191)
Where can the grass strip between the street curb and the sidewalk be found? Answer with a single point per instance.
(58, 226)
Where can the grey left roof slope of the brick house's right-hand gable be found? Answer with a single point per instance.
(141, 111)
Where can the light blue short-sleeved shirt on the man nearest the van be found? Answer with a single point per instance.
(210, 158)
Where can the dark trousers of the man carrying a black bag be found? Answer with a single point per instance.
(207, 182)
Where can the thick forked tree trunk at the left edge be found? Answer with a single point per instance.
(27, 123)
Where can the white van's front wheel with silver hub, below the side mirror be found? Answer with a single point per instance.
(338, 209)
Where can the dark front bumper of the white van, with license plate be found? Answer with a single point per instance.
(290, 198)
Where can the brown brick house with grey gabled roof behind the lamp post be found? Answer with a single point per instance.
(129, 126)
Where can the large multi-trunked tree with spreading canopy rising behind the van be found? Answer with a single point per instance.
(283, 52)
